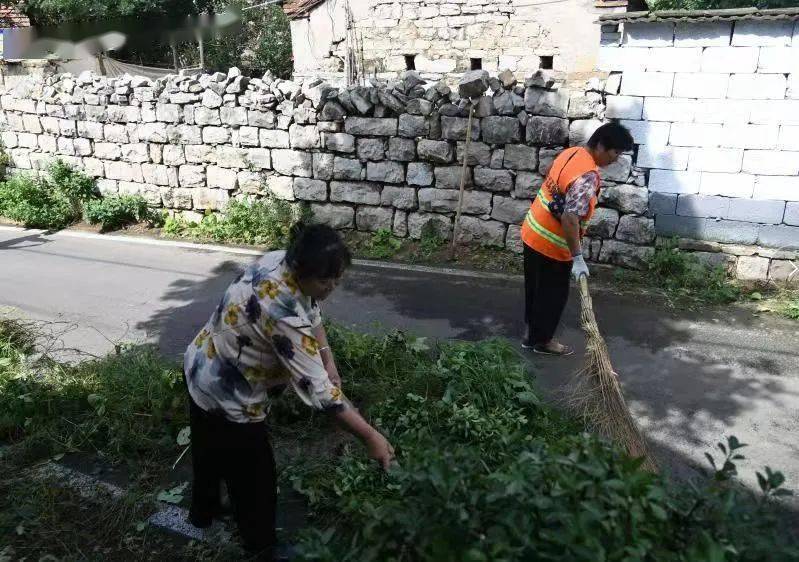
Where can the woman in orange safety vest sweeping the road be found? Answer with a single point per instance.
(553, 229)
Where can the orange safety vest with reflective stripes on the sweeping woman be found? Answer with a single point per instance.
(542, 230)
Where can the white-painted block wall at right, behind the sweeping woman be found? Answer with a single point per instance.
(714, 109)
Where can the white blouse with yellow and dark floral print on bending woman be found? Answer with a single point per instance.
(257, 341)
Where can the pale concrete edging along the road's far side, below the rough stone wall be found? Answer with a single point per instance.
(145, 241)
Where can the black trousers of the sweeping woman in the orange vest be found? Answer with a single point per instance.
(546, 290)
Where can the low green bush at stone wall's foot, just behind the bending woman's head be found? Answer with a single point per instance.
(262, 222)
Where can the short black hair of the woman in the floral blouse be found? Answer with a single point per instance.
(316, 251)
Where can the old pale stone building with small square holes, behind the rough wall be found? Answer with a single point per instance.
(441, 38)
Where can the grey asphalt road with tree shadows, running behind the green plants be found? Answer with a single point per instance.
(690, 378)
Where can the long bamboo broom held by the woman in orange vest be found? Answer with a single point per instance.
(597, 396)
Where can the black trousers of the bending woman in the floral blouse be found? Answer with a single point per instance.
(241, 455)
